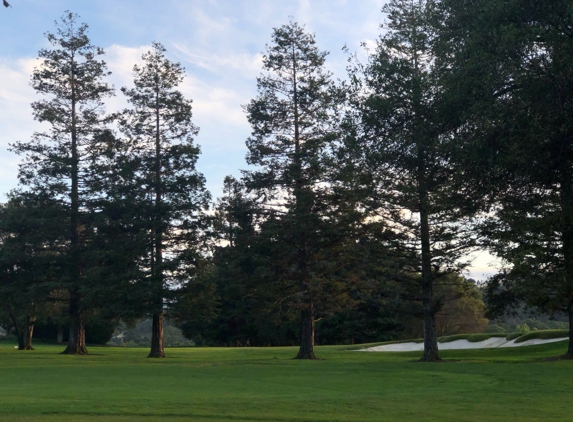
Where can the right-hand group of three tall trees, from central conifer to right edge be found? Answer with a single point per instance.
(454, 136)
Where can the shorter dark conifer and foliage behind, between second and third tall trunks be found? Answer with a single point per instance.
(245, 312)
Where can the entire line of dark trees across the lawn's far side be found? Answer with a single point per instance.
(364, 199)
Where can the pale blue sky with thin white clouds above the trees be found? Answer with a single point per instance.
(219, 42)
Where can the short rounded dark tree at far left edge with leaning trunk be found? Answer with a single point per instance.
(30, 250)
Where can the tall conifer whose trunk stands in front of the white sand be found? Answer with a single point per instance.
(403, 135)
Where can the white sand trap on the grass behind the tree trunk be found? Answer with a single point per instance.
(490, 343)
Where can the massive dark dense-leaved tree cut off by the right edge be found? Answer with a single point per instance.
(519, 120)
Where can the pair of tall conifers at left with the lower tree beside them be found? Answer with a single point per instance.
(103, 217)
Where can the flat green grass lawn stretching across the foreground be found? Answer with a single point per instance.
(265, 384)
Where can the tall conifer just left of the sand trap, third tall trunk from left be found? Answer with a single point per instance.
(306, 212)
